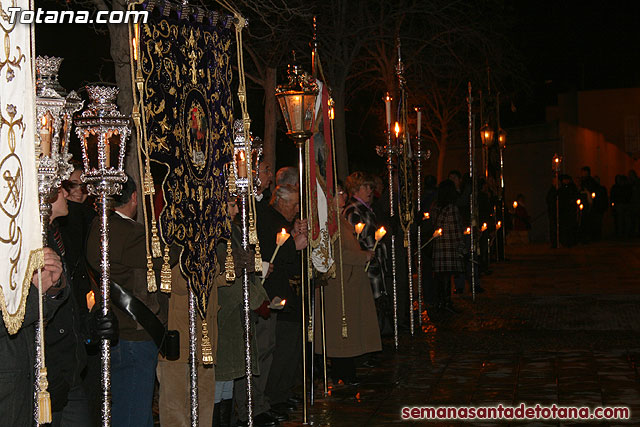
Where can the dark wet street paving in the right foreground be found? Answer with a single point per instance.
(554, 326)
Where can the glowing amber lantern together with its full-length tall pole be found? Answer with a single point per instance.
(297, 101)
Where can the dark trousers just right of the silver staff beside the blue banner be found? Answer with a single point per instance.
(266, 342)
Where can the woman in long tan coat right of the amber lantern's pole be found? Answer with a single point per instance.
(363, 334)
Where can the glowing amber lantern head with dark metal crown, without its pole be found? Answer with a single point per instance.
(297, 101)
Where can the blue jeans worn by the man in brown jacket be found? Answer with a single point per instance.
(133, 374)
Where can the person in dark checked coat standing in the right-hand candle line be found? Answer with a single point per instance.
(449, 248)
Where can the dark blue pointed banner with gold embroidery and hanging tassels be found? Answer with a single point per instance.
(188, 111)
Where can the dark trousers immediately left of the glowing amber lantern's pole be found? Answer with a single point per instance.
(286, 359)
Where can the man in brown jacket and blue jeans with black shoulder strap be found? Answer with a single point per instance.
(135, 356)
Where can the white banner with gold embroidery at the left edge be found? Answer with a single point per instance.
(20, 241)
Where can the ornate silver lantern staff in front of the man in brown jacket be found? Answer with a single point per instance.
(103, 132)
